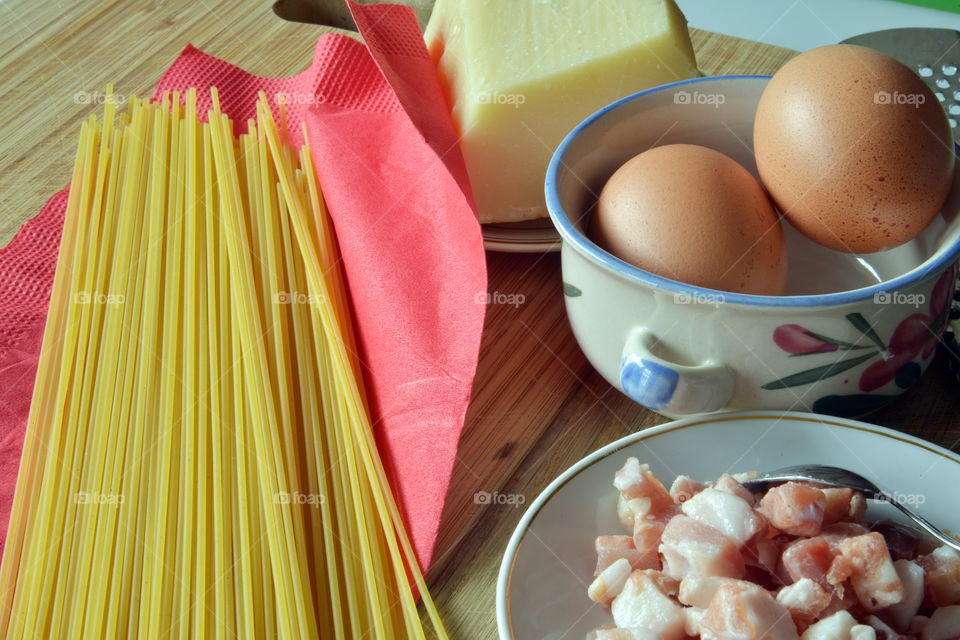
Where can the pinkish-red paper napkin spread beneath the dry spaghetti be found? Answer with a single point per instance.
(397, 189)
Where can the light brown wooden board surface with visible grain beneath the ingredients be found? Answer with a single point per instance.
(537, 407)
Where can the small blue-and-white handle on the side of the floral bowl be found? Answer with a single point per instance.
(668, 387)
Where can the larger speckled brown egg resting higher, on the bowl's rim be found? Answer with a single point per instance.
(854, 148)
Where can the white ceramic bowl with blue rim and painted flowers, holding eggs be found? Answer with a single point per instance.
(852, 332)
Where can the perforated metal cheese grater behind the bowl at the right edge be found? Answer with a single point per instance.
(935, 55)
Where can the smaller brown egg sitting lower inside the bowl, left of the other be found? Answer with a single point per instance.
(692, 214)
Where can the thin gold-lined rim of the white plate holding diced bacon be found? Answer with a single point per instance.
(505, 573)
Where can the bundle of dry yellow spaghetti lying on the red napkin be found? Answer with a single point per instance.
(199, 459)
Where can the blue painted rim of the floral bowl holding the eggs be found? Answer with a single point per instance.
(561, 220)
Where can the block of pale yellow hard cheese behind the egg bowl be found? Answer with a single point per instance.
(520, 74)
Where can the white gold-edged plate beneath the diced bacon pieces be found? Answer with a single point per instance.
(541, 592)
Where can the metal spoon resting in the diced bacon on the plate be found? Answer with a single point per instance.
(837, 477)
